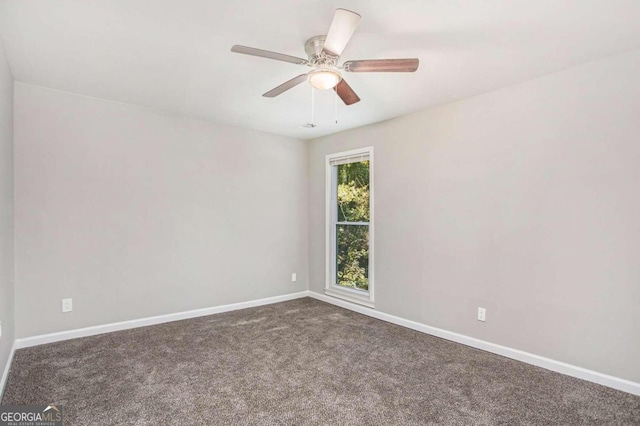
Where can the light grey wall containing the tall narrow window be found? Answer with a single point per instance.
(524, 201)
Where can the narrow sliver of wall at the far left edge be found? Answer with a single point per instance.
(7, 299)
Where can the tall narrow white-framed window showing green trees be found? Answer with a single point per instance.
(350, 225)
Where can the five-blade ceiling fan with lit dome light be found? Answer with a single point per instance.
(323, 52)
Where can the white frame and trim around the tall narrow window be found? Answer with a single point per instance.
(361, 297)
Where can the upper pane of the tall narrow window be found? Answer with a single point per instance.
(353, 192)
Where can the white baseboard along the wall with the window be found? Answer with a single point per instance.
(529, 358)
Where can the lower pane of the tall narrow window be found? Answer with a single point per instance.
(352, 256)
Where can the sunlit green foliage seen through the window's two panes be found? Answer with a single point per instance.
(353, 240)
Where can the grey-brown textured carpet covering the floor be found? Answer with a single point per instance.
(302, 362)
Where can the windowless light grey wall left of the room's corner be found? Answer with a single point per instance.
(133, 213)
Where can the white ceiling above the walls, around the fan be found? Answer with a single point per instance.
(174, 55)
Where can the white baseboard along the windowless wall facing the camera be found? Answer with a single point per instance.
(143, 322)
